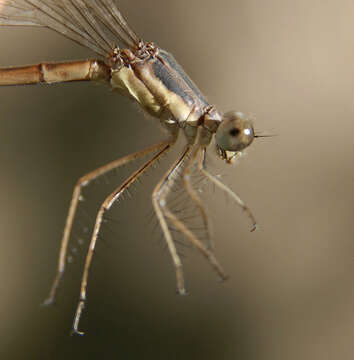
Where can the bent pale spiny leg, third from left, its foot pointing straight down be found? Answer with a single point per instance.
(159, 202)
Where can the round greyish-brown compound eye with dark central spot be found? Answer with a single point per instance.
(235, 132)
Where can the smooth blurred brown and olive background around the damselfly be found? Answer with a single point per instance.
(291, 289)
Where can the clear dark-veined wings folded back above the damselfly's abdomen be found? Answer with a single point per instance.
(95, 24)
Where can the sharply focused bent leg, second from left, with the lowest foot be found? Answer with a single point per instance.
(106, 205)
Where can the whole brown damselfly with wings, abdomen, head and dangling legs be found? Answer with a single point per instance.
(151, 77)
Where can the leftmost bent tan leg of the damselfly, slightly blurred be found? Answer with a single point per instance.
(83, 181)
